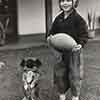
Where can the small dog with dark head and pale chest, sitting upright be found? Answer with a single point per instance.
(30, 77)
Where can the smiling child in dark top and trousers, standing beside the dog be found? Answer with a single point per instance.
(71, 23)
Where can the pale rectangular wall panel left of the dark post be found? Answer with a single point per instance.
(31, 16)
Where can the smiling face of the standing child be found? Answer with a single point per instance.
(66, 5)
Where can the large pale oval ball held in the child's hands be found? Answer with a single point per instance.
(62, 41)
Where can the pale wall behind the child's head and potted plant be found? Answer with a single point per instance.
(83, 8)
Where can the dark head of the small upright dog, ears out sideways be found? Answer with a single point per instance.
(30, 62)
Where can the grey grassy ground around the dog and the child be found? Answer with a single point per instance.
(10, 75)
